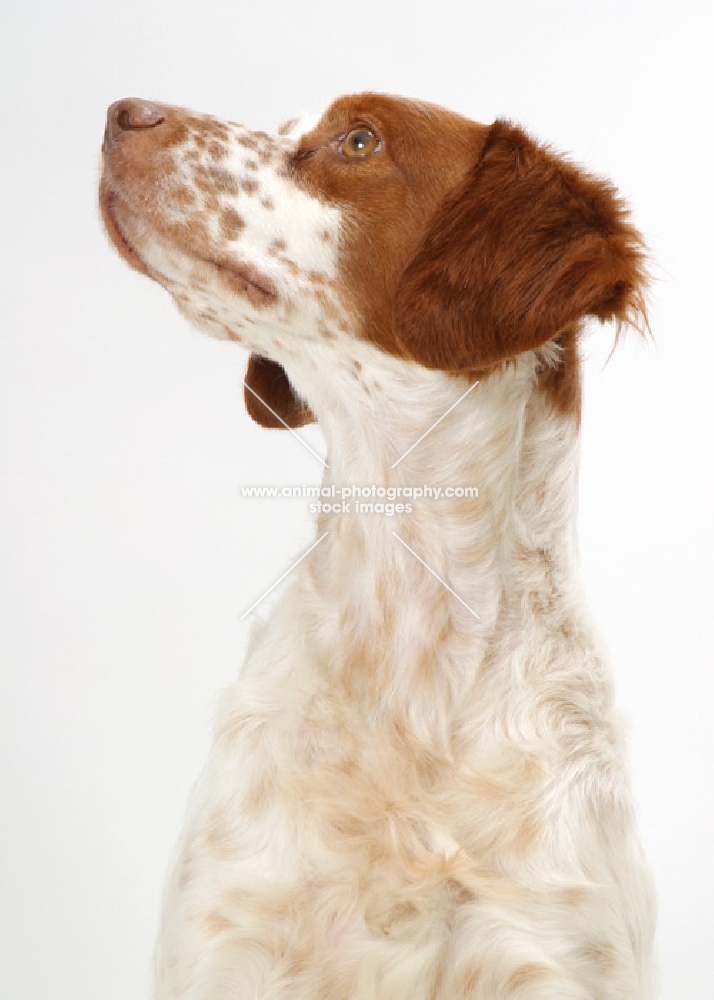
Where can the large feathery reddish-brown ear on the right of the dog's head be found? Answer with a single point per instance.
(525, 246)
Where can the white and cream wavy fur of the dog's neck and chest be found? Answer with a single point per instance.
(404, 799)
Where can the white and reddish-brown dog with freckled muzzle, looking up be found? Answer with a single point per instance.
(417, 787)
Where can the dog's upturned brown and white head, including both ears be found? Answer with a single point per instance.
(388, 222)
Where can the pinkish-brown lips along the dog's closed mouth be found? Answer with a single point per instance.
(239, 277)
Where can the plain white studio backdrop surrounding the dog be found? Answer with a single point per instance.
(127, 554)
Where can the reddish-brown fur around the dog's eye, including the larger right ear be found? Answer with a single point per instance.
(484, 244)
